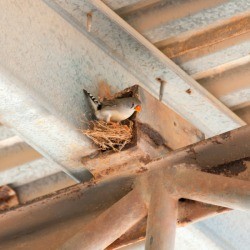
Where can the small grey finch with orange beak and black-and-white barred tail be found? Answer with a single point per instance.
(115, 110)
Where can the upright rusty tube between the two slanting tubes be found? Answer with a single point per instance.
(162, 216)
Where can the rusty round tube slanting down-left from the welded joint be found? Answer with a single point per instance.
(110, 225)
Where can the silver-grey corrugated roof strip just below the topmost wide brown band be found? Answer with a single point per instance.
(204, 17)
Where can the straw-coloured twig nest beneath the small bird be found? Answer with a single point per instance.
(110, 136)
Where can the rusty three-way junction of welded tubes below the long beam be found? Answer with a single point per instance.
(169, 185)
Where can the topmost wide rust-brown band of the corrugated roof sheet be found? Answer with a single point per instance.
(160, 16)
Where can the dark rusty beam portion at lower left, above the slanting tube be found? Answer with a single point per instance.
(64, 212)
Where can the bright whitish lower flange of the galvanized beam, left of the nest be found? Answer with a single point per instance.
(41, 129)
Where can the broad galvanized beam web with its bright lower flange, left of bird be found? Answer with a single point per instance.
(46, 119)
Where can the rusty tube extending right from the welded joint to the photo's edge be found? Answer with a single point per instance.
(184, 181)
